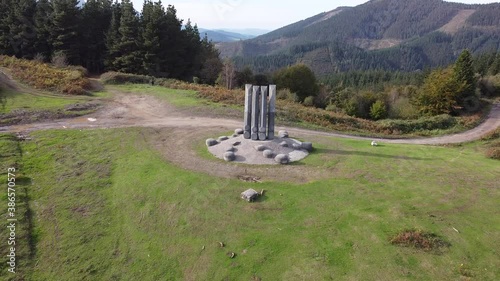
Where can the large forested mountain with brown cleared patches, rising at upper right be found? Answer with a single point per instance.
(380, 34)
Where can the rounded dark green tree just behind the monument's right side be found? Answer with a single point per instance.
(299, 79)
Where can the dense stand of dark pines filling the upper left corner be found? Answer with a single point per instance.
(103, 35)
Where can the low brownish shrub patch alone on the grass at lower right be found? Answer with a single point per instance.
(419, 239)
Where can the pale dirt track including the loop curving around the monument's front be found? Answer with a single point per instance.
(177, 134)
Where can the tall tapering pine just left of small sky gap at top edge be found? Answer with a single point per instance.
(129, 47)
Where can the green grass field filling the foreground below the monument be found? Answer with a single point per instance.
(105, 205)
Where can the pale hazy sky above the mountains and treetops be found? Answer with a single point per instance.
(265, 14)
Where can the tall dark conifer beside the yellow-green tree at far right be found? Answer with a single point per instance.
(463, 71)
